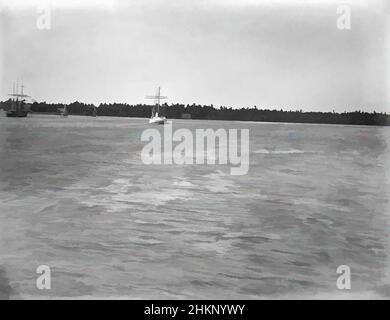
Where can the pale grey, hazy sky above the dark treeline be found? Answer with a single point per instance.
(236, 53)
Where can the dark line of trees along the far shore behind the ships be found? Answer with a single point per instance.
(176, 111)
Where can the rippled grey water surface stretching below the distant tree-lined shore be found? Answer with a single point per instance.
(75, 196)
